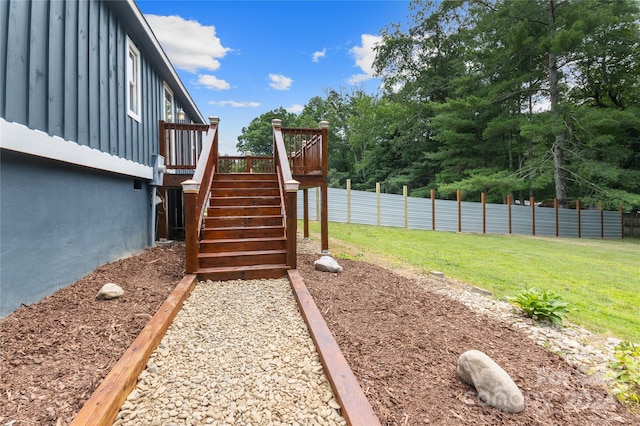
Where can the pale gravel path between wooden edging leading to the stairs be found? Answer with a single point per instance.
(237, 353)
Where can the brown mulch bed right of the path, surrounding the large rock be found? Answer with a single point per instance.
(403, 342)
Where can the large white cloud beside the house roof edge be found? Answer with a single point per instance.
(189, 45)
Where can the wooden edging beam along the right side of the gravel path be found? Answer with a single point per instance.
(355, 407)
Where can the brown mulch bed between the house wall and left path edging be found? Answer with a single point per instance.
(54, 353)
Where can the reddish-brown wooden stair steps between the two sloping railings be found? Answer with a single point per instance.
(244, 233)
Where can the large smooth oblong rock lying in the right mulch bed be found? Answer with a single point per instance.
(494, 386)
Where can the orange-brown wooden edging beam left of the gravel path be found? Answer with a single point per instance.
(105, 402)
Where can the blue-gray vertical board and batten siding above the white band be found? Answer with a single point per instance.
(68, 77)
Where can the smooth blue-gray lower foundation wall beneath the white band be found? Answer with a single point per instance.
(59, 222)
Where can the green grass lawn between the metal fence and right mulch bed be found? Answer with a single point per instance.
(600, 279)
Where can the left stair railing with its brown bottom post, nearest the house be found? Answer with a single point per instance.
(196, 192)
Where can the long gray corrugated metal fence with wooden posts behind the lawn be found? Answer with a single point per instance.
(371, 208)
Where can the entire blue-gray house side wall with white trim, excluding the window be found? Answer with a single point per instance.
(70, 151)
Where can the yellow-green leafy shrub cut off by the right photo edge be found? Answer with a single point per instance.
(626, 373)
